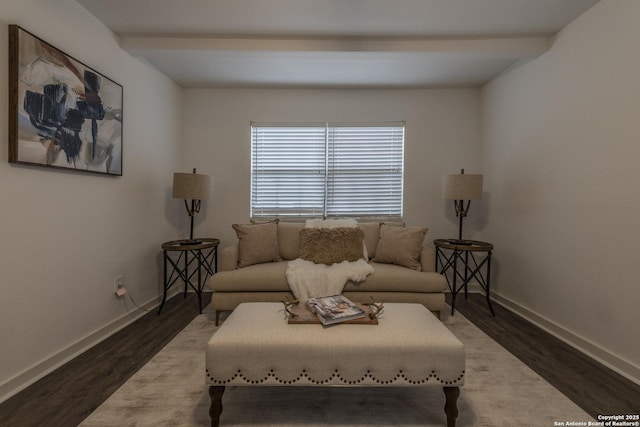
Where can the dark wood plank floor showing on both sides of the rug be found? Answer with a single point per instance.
(69, 394)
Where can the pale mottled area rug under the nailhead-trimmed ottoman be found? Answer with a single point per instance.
(170, 390)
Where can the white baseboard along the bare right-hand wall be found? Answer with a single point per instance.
(623, 367)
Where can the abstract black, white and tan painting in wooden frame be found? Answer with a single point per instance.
(62, 114)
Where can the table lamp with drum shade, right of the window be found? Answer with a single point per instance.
(462, 188)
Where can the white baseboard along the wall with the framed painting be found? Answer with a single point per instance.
(39, 370)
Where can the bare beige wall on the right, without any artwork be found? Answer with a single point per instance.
(561, 145)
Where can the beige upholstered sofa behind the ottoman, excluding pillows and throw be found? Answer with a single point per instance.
(267, 282)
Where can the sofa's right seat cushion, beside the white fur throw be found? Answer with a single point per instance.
(395, 278)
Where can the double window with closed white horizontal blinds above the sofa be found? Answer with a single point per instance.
(327, 170)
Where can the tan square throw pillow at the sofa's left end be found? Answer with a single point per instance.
(257, 243)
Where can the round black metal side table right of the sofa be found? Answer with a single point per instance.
(451, 252)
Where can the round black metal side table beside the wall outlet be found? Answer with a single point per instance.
(197, 261)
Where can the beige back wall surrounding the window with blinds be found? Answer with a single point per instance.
(441, 136)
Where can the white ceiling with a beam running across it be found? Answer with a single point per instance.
(335, 43)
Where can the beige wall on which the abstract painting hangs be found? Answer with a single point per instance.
(63, 235)
